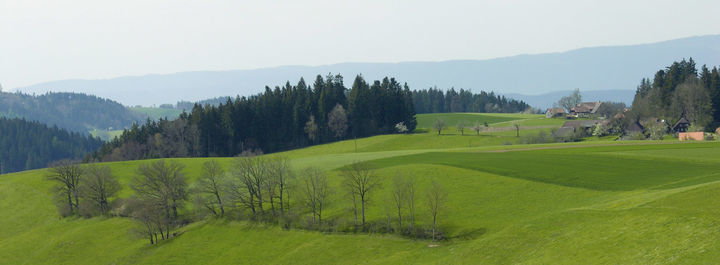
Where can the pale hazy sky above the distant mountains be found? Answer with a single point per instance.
(89, 39)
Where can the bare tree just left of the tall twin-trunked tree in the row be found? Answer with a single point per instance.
(315, 190)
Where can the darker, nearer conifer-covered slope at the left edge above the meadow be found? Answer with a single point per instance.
(28, 145)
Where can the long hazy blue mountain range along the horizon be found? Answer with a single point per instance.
(590, 69)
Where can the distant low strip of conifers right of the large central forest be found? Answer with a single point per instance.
(434, 100)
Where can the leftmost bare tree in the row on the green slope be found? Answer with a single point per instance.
(67, 174)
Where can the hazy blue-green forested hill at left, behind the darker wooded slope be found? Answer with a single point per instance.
(72, 111)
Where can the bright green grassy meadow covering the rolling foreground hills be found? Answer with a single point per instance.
(595, 202)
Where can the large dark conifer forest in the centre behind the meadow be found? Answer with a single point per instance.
(279, 119)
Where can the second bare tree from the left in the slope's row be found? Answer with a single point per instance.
(98, 186)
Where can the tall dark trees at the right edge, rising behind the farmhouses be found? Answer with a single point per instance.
(679, 91)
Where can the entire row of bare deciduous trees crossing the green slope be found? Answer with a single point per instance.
(253, 188)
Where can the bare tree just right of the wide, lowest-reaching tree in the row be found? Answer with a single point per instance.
(209, 187)
